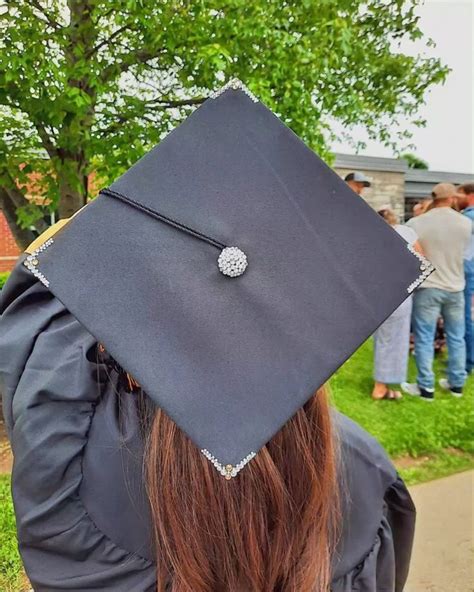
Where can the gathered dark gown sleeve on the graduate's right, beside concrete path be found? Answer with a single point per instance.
(385, 567)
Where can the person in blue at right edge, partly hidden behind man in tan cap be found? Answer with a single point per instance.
(466, 204)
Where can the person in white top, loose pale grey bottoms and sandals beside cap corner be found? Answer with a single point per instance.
(392, 338)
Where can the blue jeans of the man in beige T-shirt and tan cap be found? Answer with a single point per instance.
(428, 305)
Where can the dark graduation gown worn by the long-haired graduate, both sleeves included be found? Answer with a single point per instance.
(82, 515)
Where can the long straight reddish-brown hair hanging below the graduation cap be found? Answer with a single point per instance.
(270, 529)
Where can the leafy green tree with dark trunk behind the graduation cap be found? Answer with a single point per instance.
(87, 86)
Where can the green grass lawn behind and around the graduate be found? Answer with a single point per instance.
(426, 440)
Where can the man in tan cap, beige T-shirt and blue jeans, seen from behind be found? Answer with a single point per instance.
(444, 235)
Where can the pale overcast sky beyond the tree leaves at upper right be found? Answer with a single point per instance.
(446, 142)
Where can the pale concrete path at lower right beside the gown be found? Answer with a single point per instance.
(443, 558)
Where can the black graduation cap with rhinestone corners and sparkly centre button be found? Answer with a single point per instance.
(231, 272)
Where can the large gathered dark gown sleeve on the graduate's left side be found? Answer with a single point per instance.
(51, 384)
